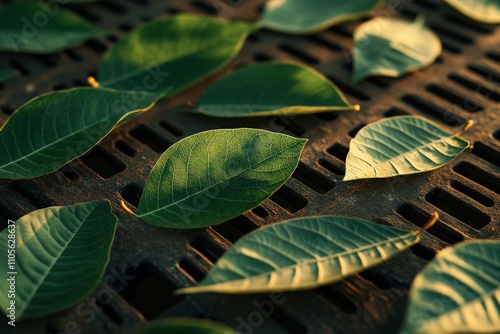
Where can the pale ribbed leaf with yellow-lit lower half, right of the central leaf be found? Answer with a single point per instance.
(400, 145)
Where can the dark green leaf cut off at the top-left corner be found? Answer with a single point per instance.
(36, 28)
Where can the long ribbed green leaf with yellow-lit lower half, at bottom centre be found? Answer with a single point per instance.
(303, 253)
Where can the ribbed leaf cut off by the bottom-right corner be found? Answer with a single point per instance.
(458, 292)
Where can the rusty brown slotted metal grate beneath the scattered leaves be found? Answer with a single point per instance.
(148, 263)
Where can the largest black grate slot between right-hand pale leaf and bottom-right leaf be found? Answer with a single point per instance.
(458, 208)
